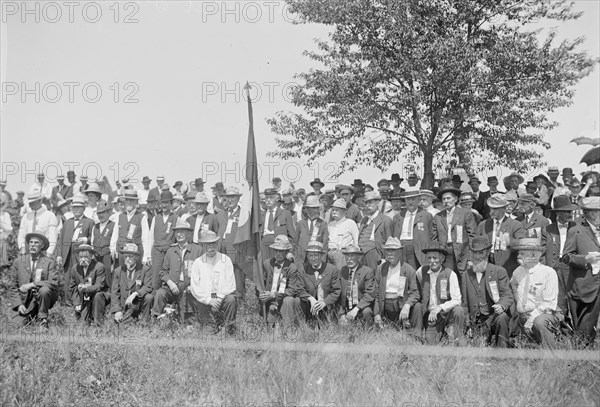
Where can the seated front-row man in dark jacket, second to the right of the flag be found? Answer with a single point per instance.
(319, 285)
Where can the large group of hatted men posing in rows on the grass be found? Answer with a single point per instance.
(440, 264)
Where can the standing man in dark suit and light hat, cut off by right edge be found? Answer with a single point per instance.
(582, 254)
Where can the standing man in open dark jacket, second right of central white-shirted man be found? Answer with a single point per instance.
(415, 237)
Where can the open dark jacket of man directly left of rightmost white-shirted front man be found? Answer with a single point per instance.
(469, 290)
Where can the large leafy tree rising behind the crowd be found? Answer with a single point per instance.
(437, 79)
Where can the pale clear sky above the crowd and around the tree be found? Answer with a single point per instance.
(131, 89)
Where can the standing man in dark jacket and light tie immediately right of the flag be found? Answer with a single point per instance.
(275, 221)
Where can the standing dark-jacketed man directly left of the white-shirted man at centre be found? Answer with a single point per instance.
(312, 228)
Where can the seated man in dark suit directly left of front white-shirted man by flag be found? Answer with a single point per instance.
(175, 270)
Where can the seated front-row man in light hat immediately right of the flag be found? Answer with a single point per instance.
(281, 284)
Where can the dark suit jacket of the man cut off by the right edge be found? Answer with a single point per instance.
(580, 241)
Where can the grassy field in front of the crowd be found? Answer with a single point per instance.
(170, 365)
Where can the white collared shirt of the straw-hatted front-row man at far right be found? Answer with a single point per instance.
(536, 289)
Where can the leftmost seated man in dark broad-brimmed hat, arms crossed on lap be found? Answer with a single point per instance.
(36, 279)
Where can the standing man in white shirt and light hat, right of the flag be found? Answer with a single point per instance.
(343, 232)
